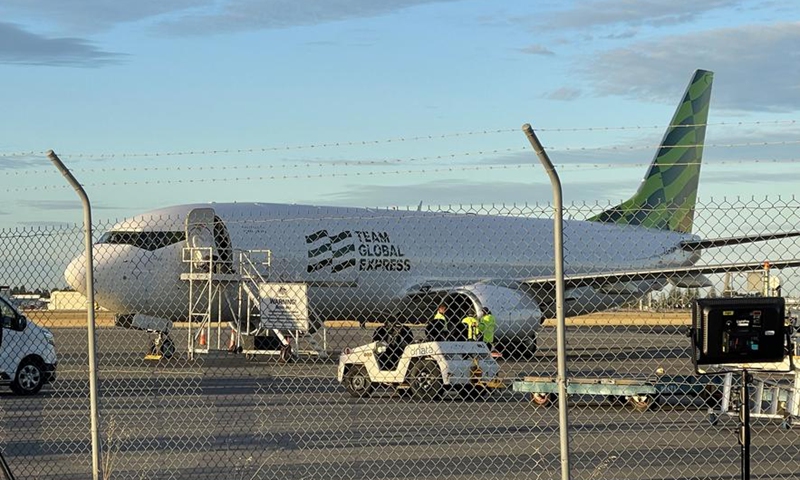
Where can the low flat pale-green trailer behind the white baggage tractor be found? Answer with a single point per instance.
(641, 394)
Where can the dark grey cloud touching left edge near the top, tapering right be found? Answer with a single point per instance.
(19, 47)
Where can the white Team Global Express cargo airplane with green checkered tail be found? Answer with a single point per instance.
(366, 264)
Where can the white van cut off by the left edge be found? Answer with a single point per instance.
(27, 352)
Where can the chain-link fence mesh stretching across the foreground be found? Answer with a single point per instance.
(267, 341)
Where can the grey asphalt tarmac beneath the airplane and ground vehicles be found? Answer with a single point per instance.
(228, 416)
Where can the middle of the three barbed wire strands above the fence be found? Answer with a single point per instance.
(391, 161)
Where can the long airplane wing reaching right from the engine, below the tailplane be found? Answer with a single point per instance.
(605, 278)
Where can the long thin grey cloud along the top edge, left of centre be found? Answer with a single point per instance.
(244, 15)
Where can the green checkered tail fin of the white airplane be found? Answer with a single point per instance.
(666, 197)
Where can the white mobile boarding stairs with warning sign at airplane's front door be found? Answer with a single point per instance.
(274, 314)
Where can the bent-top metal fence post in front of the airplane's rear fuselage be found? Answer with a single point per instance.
(558, 234)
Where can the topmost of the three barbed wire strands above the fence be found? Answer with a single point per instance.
(354, 143)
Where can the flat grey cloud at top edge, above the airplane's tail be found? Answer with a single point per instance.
(626, 12)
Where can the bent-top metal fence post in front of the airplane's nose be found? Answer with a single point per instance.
(87, 235)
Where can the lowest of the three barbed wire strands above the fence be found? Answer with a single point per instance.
(453, 168)
